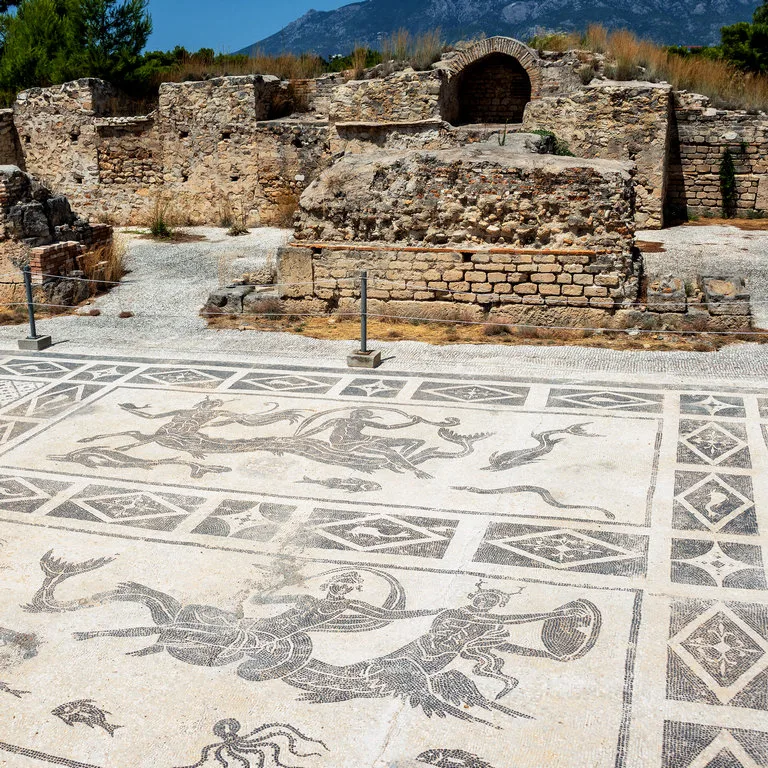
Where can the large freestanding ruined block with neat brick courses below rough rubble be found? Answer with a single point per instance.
(479, 225)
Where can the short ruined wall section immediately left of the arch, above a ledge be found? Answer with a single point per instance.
(404, 96)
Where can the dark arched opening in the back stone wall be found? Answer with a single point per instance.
(493, 89)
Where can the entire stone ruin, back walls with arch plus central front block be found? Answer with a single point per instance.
(261, 145)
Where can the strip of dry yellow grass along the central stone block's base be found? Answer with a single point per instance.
(448, 333)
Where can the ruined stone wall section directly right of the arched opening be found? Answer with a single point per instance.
(621, 121)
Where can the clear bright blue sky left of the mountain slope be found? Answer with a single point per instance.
(224, 25)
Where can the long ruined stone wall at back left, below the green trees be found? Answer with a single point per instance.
(210, 147)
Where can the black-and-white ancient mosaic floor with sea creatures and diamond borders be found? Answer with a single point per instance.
(227, 565)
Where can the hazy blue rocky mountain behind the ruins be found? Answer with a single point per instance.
(687, 22)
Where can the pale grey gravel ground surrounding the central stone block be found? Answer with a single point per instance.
(168, 284)
